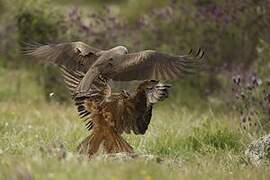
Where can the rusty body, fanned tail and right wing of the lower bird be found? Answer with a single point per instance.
(121, 113)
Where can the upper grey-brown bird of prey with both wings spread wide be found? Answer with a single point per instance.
(116, 63)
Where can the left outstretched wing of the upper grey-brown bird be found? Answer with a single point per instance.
(72, 55)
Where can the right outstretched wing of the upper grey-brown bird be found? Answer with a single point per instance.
(151, 64)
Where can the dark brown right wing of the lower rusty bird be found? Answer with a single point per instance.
(134, 112)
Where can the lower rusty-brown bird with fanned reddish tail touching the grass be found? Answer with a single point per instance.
(110, 114)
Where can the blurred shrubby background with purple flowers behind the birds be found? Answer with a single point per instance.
(234, 34)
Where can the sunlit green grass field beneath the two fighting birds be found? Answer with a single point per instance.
(38, 140)
